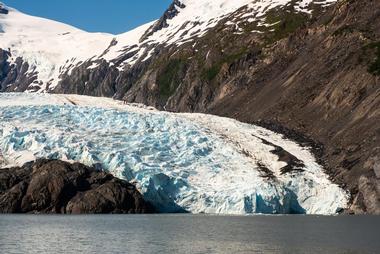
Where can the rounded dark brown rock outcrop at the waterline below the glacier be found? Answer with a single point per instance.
(51, 186)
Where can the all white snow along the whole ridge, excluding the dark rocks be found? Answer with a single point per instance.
(52, 48)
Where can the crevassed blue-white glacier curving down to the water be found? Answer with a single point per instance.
(180, 162)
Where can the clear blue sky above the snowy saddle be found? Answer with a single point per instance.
(110, 16)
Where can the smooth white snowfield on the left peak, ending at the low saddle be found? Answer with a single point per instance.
(47, 45)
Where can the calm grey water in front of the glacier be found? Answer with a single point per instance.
(188, 234)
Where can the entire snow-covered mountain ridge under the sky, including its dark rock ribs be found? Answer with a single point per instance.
(39, 52)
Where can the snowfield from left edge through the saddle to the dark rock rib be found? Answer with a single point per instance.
(52, 48)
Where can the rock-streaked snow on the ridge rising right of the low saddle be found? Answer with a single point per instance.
(193, 19)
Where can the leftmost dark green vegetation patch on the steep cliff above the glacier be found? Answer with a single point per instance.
(170, 77)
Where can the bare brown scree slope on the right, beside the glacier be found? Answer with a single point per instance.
(322, 82)
